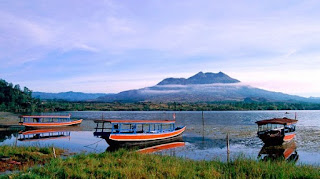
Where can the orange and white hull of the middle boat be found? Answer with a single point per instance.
(129, 140)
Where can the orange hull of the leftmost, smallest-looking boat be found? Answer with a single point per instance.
(50, 124)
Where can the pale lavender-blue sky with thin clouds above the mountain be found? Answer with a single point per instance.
(111, 46)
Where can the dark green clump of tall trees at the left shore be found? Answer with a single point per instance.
(13, 99)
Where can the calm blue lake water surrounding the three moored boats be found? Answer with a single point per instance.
(202, 142)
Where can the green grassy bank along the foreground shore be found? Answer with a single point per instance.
(126, 164)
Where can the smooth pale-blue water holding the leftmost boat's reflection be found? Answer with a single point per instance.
(71, 141)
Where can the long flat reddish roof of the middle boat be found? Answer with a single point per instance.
(118, 121)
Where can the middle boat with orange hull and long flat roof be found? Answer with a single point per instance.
(126, 133)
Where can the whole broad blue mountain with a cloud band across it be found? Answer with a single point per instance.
(202, 87)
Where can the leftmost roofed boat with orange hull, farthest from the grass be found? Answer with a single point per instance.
(48, 121)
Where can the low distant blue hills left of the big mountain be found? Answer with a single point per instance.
(68, 96)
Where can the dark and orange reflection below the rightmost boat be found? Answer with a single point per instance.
(285, 152)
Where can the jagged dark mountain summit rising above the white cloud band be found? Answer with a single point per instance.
(200, 78)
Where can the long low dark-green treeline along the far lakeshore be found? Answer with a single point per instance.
(148, 106)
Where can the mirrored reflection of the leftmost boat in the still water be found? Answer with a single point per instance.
(43, 134)
